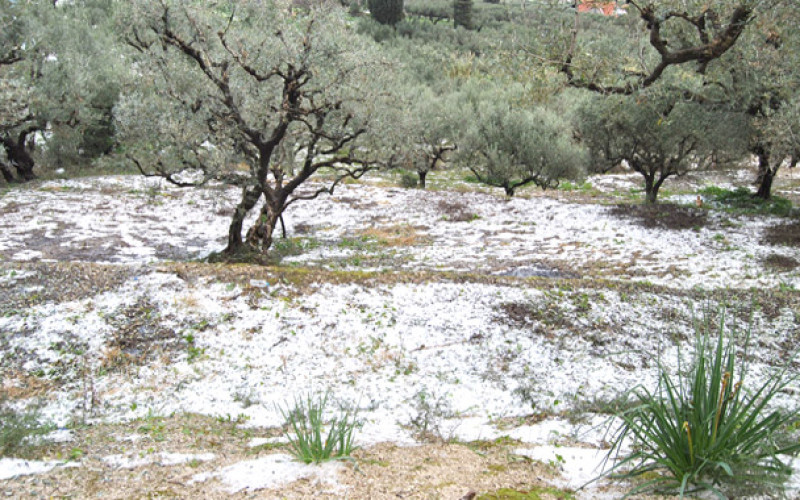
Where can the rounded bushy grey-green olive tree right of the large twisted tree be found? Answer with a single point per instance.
(511, 146)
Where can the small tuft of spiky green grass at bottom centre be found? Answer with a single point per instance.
(308, 440)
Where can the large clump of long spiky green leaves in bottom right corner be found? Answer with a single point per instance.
(705, 429)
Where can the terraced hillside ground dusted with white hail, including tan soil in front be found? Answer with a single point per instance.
(484, 340)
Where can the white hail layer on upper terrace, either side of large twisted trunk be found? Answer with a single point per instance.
(135, 220)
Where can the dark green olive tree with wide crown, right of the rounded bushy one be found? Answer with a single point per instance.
(658, 136)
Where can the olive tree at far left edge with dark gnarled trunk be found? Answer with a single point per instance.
(59, 68)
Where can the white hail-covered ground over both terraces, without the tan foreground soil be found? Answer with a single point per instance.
(477, 346)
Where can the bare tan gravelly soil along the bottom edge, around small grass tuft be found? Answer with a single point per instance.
(384, 471)
